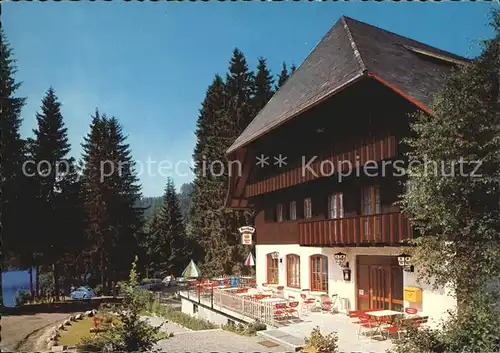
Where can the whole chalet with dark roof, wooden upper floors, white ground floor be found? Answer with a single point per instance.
(321, 164)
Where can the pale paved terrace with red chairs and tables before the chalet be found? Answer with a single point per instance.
(289, 320)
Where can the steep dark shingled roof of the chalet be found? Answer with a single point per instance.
(349, 51)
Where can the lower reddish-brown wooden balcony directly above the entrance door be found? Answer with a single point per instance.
(382, 229)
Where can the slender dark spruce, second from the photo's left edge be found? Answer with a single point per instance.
(55, 177)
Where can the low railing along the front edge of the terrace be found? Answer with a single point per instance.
(221, 299)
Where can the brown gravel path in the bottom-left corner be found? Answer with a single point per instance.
(20, 332)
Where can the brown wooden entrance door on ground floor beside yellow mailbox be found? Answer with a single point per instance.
(379, 282)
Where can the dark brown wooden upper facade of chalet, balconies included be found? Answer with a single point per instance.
(372, 134)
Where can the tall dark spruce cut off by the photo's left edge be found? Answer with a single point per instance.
(12, 153)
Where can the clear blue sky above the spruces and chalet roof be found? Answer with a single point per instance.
(149, 64)
